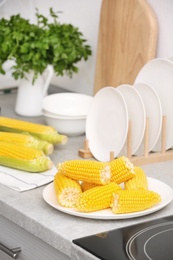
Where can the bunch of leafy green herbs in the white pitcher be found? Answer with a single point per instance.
(35, 46)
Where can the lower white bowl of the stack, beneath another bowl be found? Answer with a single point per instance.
(66, 125)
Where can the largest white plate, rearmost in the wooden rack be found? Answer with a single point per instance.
(159, 74)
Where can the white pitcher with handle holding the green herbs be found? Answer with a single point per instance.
(30, 96)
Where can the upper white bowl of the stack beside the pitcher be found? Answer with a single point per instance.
(67, 104)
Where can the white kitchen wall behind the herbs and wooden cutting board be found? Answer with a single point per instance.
(85, 15)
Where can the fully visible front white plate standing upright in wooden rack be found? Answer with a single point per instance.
(107, 123)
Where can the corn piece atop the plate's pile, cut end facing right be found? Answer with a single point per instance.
(86, 170)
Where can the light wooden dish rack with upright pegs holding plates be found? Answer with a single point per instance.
(147, 157)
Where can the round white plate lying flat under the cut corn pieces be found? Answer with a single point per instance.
(163, 189)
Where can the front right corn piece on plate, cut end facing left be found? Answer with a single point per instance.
(128, 201)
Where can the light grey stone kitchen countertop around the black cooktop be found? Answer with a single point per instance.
(31, 212)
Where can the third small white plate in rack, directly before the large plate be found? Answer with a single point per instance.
(153, 111)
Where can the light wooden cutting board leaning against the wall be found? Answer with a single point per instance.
(127, 40)
